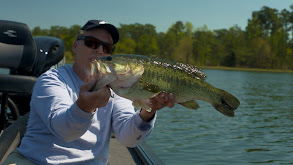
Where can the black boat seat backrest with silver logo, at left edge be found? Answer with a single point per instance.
(17, 47)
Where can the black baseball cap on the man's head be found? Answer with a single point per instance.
(105, 25)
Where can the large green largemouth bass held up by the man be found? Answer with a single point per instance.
(139, 78)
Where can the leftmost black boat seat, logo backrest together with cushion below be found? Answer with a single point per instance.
(17, 53)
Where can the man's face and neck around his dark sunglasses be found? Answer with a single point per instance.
(84, 54)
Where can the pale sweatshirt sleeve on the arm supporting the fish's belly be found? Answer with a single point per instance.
(128, 126)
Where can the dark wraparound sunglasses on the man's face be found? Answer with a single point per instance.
(94, 43)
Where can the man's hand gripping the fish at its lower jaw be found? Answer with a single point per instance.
(90, 101)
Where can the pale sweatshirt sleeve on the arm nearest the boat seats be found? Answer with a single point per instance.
(52, 102)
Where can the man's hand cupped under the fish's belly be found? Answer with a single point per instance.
(158, 102)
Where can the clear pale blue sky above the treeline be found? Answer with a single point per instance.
(215, 14)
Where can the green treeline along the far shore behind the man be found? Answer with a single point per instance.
(266, 42)
